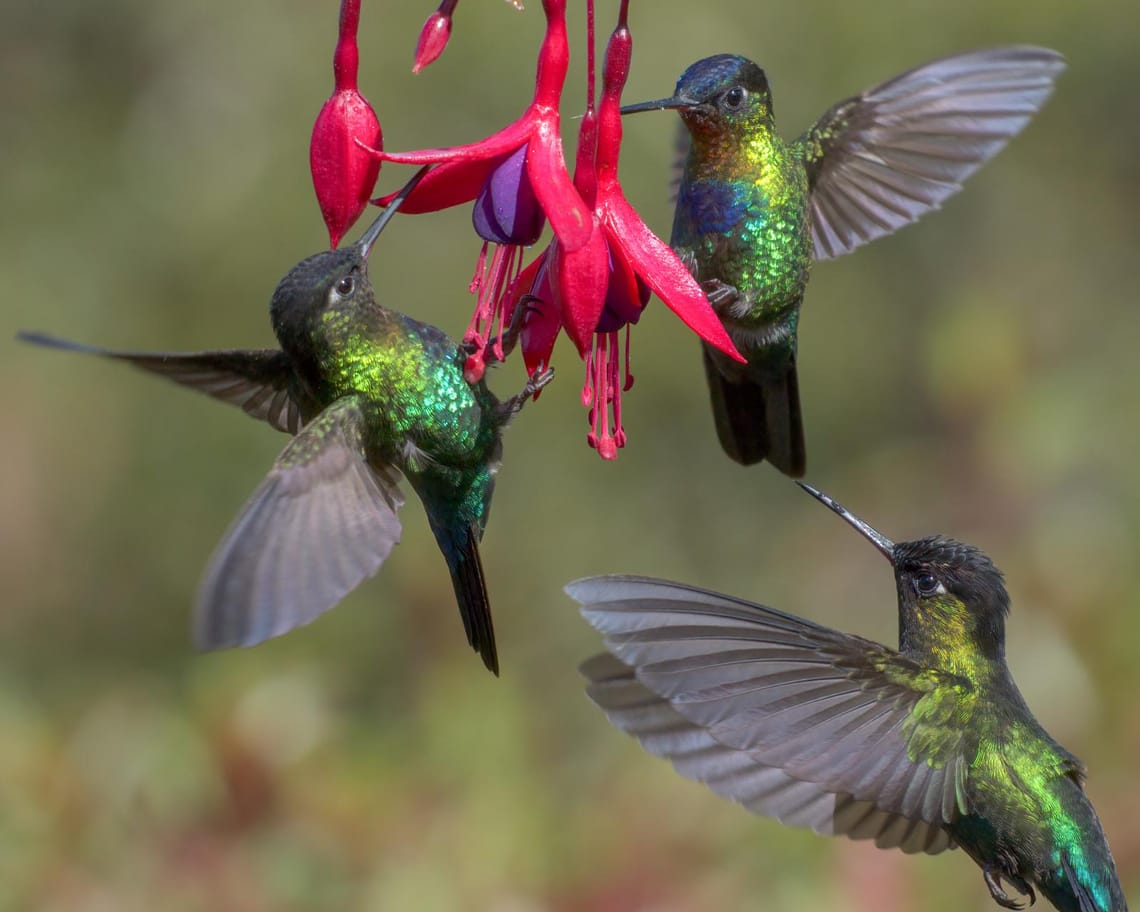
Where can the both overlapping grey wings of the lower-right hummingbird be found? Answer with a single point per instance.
(786, 716)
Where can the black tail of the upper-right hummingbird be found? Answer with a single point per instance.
(760, 419)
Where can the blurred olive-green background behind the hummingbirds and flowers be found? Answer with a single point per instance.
(975, 376)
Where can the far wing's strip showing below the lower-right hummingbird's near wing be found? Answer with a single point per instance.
(736, 775)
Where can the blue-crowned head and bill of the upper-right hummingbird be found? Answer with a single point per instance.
(726, 94)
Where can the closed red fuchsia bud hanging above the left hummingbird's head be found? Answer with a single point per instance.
(344, 174)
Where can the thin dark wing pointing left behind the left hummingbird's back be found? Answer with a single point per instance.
(259, 381)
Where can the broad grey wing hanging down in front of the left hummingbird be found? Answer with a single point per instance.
(322, 523)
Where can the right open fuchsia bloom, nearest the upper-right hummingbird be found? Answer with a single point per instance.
(598, 290)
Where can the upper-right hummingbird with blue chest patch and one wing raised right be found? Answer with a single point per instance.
(754, 213)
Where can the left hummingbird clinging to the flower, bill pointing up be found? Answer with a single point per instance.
(369, 394)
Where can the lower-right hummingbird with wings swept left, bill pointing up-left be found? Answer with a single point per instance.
(924, 748)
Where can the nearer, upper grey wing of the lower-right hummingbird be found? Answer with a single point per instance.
(850, 715)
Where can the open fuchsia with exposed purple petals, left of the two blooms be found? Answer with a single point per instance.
(522, 168)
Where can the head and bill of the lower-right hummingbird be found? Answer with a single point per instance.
(952, 600)
